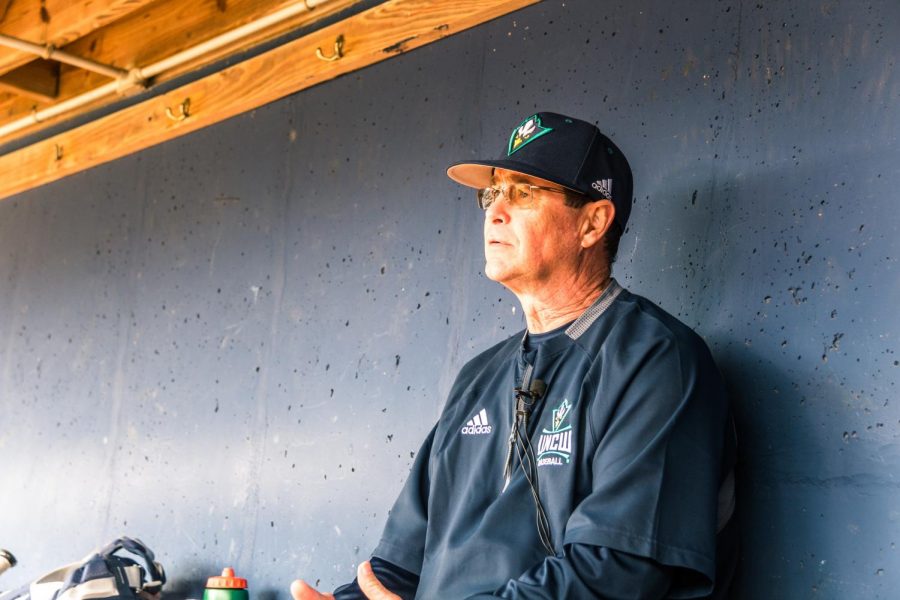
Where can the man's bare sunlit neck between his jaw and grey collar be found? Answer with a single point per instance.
(545, 312)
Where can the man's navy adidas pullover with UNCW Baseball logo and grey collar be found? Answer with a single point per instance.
(634, 453)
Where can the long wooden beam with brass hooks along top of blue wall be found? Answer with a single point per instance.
(382, 32)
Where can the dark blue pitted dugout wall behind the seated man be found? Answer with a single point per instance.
(231, 345)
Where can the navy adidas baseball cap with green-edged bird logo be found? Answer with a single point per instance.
(567, 151)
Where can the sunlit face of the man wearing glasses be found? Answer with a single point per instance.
(530, 247)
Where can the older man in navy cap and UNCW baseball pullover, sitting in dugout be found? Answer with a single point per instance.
(589, 456)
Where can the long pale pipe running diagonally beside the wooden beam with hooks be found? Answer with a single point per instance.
(138, 75)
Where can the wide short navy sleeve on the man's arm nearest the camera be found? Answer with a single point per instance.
(658, 462)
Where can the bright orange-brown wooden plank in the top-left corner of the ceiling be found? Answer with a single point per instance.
(57, 22)
